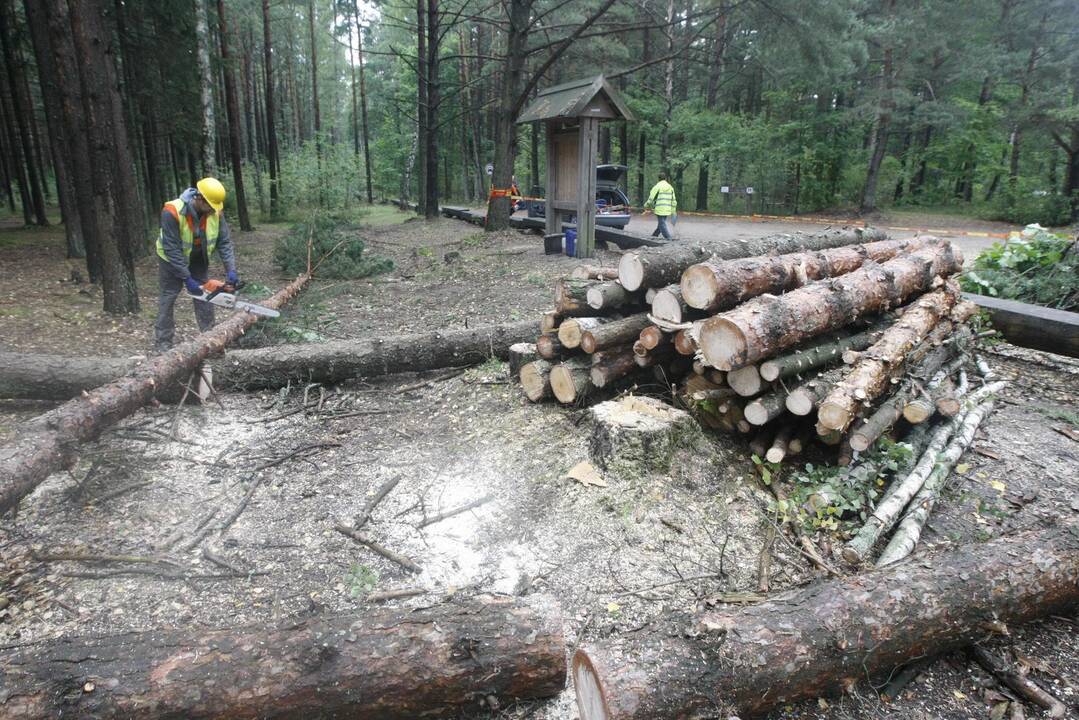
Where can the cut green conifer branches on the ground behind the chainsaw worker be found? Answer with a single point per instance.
(337, 248)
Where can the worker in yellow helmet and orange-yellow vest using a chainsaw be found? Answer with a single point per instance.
(193, 227)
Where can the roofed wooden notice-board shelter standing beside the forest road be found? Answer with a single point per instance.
(571, 115)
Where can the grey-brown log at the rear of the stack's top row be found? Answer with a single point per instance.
(662, 266)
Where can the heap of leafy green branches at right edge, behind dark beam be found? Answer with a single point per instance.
(1035, 267)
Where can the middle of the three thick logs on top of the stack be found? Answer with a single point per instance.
(720, 286)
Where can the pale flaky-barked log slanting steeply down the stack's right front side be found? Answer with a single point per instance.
(885, 360)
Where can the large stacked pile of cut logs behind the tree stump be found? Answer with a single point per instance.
(834, 336)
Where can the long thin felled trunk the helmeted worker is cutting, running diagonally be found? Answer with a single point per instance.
(51, 442)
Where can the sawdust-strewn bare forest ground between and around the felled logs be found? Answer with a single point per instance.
(613, 556)
